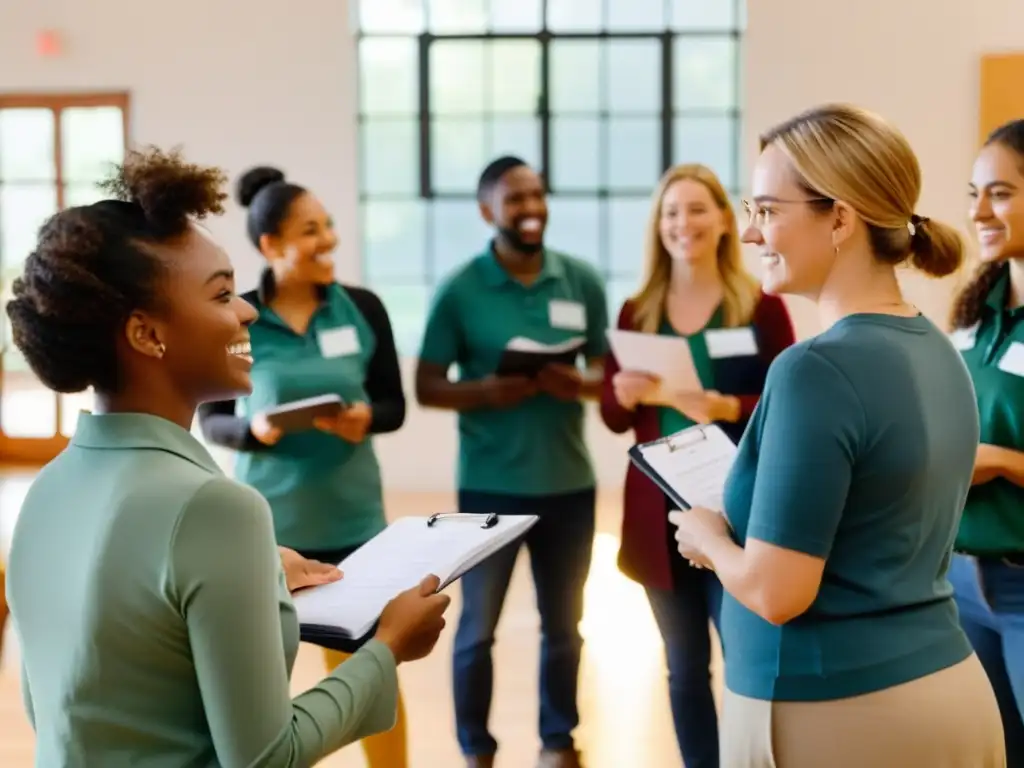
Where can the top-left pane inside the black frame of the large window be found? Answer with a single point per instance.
(457, 77)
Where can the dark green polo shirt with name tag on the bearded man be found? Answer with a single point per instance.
(538, 448)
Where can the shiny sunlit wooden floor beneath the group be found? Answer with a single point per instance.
(625, 715)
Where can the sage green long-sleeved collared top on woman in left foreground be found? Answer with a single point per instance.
(156, 627)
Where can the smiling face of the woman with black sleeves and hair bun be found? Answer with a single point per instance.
(303, 251)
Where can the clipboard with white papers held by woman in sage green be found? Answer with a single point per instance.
(343, 615)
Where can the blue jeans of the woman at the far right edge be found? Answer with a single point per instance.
(991, 600)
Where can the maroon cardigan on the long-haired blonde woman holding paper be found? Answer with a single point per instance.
(645, 552)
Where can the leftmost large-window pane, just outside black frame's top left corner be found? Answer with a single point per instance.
(389, 72)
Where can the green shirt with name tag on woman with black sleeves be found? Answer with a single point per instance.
(325, 492)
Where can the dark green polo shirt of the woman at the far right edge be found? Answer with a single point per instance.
(994, 351)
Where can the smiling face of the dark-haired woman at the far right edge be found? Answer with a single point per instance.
(997, 203)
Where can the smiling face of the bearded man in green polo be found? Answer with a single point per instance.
(518, 208)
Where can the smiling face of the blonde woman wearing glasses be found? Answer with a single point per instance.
(795, 237)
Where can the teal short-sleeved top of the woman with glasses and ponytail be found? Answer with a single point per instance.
(862, 453)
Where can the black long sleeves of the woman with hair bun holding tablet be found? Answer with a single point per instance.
(222, 426)
